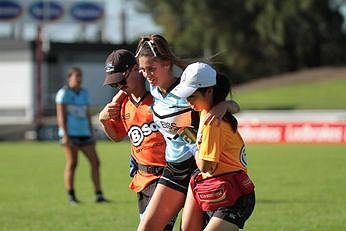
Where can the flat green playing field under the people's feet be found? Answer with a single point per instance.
(298, 187)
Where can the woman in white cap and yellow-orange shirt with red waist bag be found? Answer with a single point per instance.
(221, 188)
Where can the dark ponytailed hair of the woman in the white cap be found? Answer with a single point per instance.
(220, 92)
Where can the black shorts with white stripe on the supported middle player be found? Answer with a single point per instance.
(177, 175)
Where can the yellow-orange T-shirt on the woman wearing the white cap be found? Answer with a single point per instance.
(218, 143)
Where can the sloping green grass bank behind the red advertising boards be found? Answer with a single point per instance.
(327, 94)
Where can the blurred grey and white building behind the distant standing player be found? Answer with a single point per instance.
(28, 87)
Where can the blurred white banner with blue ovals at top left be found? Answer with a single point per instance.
(13, 11)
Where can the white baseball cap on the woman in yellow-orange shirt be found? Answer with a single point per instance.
(196, 75)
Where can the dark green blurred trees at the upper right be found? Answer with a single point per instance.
(253, 38)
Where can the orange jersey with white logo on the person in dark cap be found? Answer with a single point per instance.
(148, 145)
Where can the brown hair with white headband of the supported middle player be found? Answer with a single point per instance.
(157, 46)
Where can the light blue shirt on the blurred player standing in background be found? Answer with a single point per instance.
(77, 121)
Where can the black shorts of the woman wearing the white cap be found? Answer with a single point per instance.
(238, 213)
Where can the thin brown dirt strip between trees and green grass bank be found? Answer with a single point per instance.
(303, 76)
